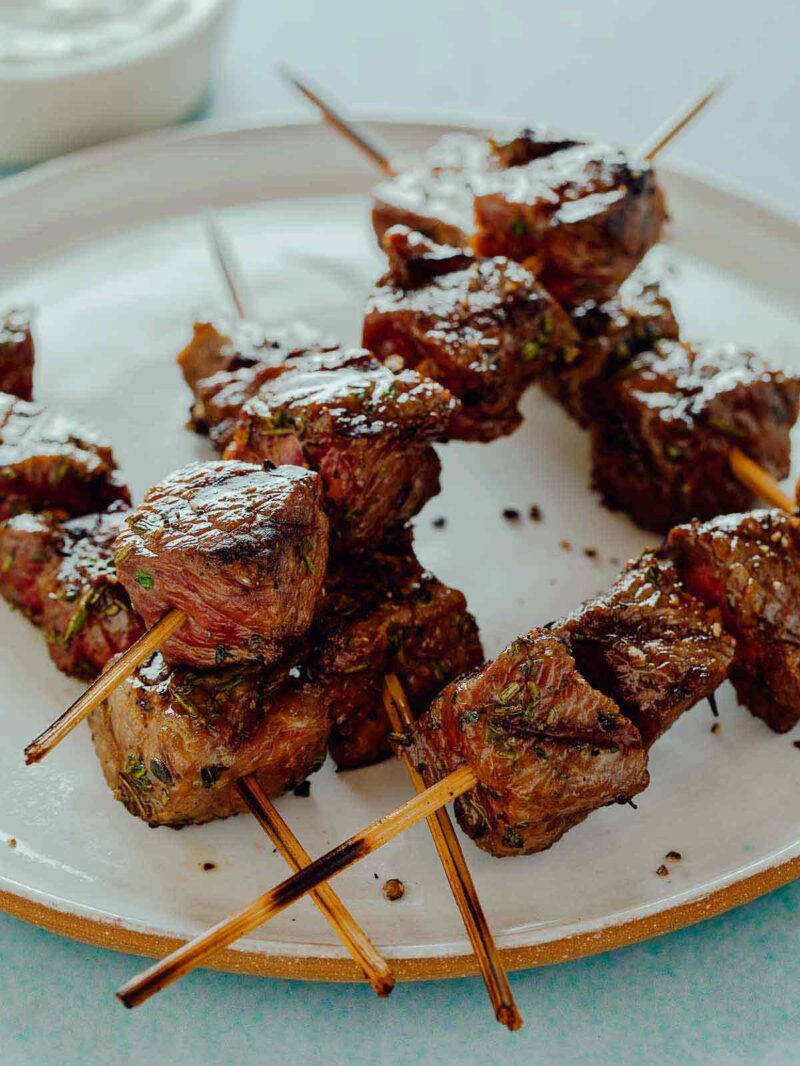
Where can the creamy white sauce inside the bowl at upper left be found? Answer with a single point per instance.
(54, 33)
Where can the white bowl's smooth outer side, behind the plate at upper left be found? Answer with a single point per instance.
(51, 107)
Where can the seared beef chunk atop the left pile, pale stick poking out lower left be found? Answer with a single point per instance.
(242, 551)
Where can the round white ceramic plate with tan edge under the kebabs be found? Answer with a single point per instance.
(109, 248)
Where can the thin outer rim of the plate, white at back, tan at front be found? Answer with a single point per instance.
(115, 934)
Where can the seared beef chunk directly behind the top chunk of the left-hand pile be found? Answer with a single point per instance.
(366, 430)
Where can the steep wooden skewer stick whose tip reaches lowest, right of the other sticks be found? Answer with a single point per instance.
(458, 874)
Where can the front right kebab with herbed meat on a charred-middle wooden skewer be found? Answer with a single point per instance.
(562, 722)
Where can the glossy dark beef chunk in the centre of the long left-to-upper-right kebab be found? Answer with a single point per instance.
(485, 329)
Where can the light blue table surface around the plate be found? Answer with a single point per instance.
(726, 992)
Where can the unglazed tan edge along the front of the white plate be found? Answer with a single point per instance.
(118, 939)
